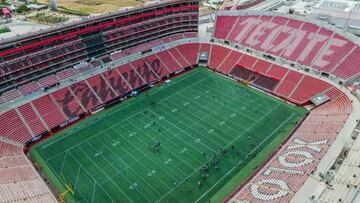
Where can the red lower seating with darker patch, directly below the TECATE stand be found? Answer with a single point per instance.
(288, 84)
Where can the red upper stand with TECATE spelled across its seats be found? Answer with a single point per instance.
(292, 39)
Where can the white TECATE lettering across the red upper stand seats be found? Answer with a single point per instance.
(285, 40)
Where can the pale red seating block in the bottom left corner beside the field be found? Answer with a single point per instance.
(19, 182)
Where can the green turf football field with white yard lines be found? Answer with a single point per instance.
(111, 156)
